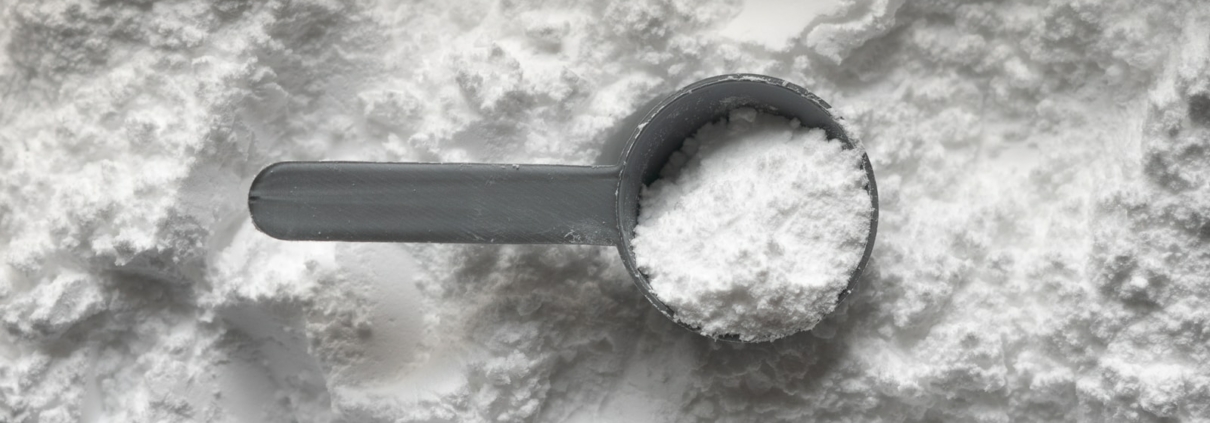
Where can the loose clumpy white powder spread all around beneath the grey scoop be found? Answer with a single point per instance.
(1044, 250)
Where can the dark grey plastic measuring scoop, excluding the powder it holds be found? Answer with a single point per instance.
(525, 204)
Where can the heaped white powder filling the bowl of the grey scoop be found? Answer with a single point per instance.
(758, 231)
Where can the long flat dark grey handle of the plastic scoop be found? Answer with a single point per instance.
(437, 202)
